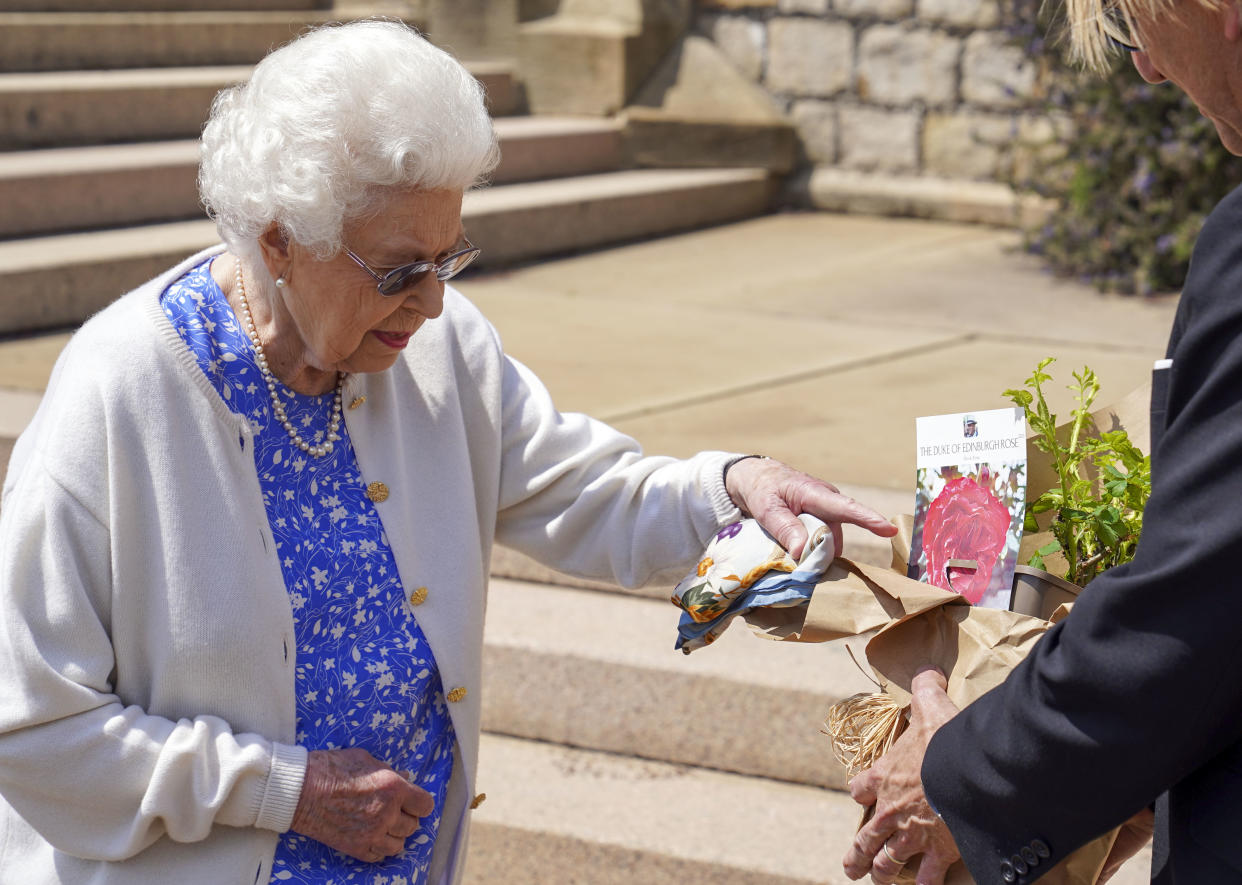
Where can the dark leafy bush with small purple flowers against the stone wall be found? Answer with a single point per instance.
(1140, 173)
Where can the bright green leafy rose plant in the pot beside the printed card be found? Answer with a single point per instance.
(1105, 482)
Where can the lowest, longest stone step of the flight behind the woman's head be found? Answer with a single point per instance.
(59, 281)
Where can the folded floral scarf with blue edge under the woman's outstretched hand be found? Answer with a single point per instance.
(743, 569)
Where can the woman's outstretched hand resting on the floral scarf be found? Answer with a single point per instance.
(776, 493)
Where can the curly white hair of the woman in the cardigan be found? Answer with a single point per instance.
(330, 125)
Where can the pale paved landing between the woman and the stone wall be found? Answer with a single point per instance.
(815, 338)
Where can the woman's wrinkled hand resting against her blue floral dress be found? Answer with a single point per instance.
(360, 806)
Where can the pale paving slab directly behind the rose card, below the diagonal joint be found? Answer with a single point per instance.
(858, 425)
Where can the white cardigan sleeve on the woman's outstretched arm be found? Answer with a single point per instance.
(582, 498)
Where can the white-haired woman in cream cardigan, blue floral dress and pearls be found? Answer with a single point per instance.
(245, 543)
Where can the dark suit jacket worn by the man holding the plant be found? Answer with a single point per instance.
(1140, 691)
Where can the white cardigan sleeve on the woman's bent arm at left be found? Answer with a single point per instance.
(96, 778)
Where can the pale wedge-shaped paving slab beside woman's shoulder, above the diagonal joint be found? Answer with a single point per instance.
(615, 359)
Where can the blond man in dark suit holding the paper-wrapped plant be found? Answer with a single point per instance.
(1136, 699)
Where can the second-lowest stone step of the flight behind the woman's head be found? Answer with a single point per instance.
(66, 189)
